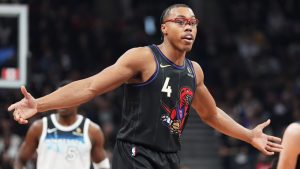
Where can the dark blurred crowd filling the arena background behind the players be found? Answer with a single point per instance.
(250, 55)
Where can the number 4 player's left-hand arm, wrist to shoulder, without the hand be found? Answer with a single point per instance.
(84, 90)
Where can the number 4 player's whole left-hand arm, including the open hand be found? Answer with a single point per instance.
(128, 65)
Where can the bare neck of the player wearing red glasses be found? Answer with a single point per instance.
(173, 54)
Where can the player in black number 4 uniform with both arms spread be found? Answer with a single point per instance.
(161, 85)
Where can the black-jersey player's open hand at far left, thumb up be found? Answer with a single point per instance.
(25, 108)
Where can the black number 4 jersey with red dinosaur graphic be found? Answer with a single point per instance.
(155, 112)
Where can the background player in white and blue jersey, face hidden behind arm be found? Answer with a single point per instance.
(64, 140)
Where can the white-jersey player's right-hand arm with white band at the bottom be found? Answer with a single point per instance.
(98, 154)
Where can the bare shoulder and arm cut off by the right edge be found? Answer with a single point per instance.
(289, 156)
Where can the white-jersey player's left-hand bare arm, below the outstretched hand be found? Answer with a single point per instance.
(29, 145)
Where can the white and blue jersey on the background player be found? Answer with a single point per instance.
(62, 147)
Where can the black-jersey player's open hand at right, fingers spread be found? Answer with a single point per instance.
(267, 144)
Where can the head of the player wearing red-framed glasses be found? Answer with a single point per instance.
(180, 28)
